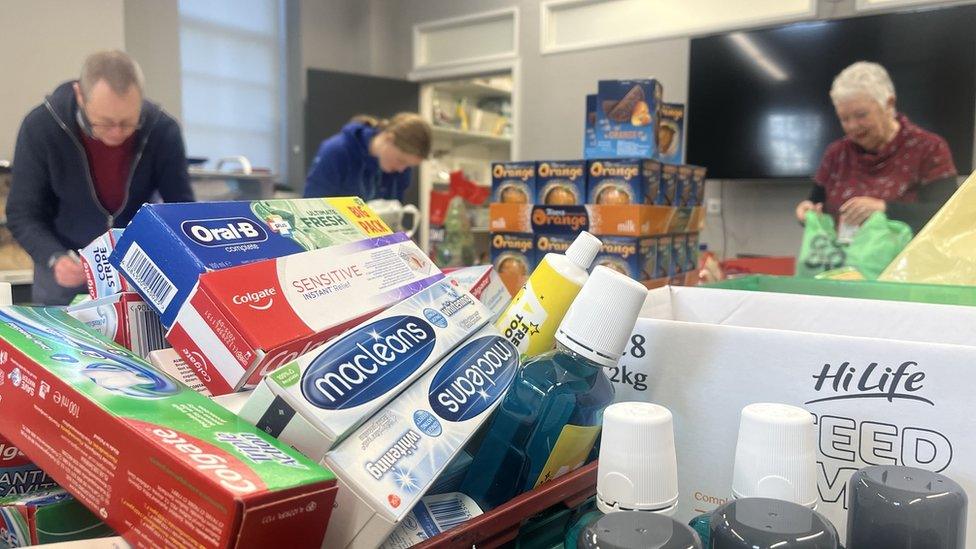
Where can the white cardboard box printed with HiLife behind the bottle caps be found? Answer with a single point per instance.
(706, 353)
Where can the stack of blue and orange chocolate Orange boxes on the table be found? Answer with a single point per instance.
(632, 190)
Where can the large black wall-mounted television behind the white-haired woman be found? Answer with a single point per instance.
(758, 104)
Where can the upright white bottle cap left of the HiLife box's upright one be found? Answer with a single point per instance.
(638, 470)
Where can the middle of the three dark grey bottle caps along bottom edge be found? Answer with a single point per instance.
(763, 523)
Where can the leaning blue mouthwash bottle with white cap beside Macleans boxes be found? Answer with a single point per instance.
(547, 423)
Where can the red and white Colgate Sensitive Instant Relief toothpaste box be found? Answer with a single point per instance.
(243, 322)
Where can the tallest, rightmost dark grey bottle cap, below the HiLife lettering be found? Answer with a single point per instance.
(899, 507)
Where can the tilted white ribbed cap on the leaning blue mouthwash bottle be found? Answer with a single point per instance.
(602, 316)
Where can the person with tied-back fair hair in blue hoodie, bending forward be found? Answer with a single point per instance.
(370, 158)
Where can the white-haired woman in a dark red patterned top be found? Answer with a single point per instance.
(884, 162)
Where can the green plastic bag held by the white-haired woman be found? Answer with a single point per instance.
(873, 247)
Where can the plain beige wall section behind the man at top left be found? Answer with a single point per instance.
(43, 43)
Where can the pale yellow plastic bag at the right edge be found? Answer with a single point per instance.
(945, 251)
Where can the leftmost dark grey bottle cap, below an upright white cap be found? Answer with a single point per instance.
(638, 530)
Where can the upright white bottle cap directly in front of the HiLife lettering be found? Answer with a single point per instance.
(776, 454)
